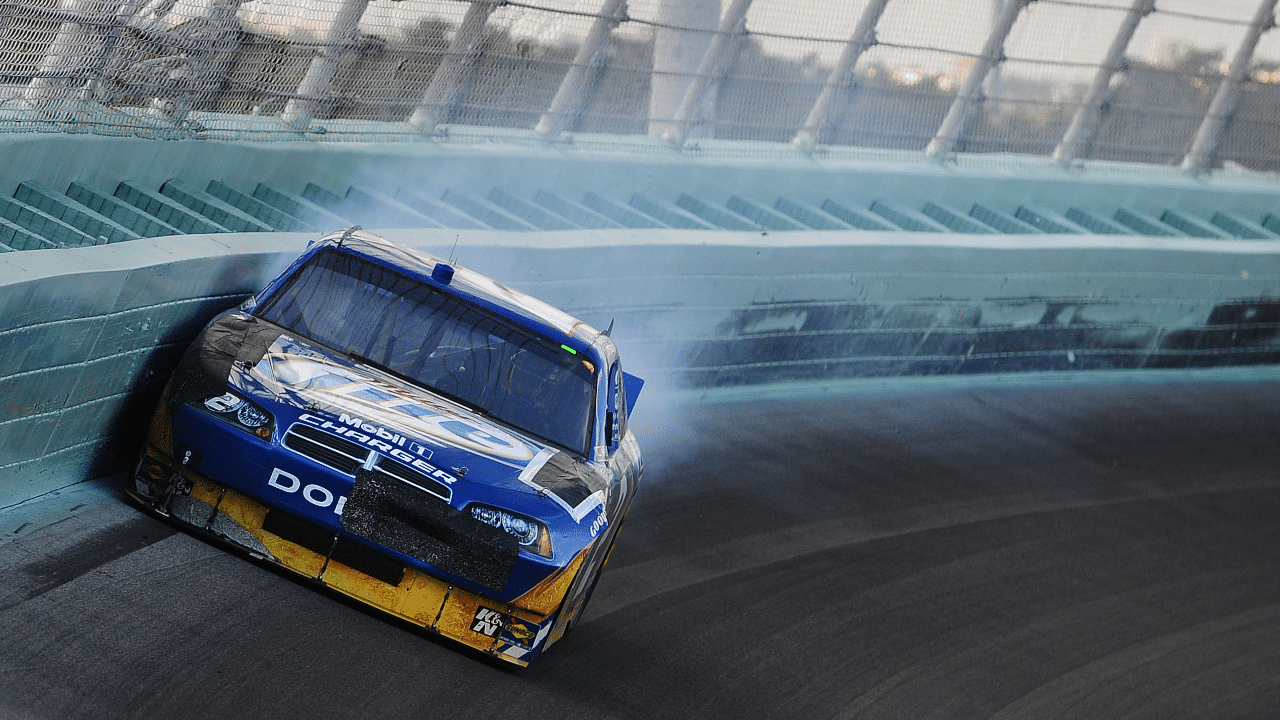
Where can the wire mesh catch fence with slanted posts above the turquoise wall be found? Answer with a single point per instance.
(276, 69)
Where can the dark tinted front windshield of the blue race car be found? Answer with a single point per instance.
(406, 327)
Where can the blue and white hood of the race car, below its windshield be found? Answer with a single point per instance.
(299, 381)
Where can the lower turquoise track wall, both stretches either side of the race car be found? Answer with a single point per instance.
(88, 336)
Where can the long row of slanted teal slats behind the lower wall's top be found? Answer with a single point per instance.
(40, 217)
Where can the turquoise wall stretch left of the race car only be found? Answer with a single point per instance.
(89, 336)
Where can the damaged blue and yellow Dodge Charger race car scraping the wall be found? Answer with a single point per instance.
(418, 438)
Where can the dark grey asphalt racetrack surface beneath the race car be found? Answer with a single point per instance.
(993, 550)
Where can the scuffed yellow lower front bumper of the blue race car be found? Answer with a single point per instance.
(516, 632)
